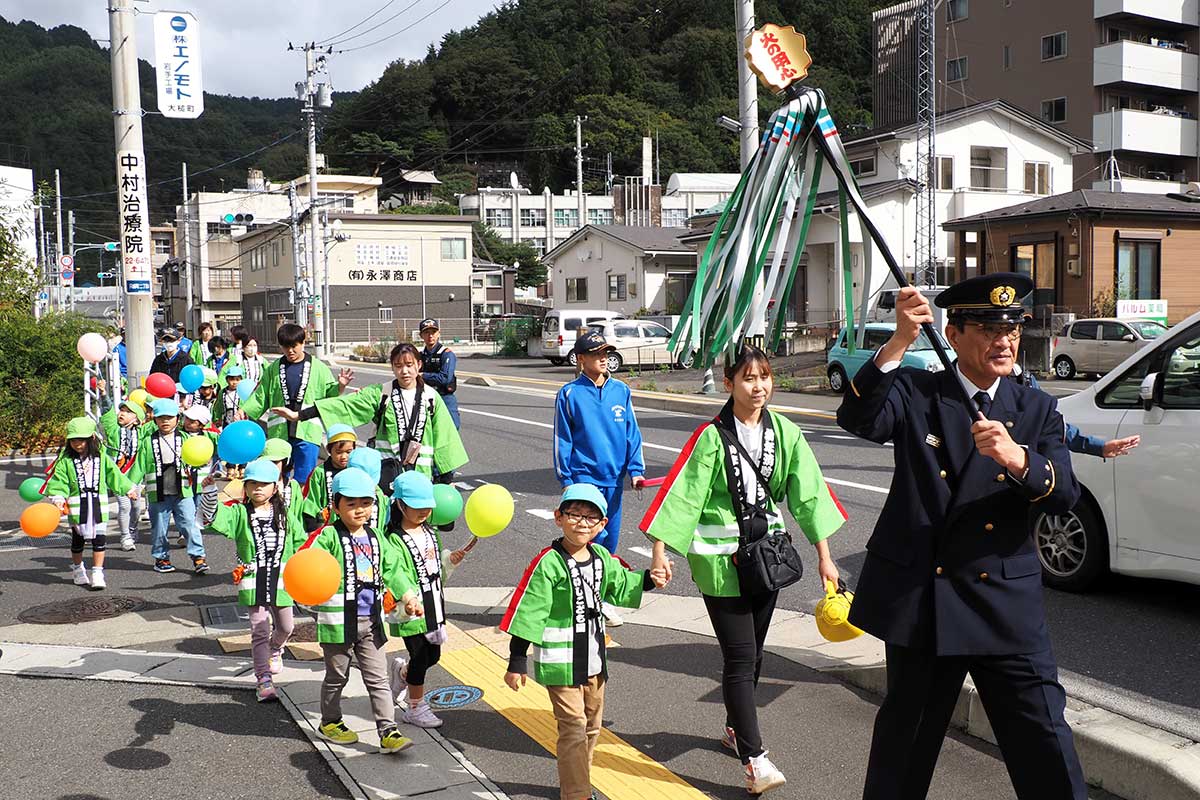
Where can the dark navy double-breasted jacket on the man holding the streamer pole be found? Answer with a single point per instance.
(952, 564)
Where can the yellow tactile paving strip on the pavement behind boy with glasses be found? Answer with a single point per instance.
(620, 771)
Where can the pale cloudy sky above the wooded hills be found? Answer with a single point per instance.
(244, 43)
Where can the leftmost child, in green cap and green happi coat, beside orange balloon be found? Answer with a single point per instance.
(80, 484)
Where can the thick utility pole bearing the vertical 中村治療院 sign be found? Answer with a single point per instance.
(131, 155)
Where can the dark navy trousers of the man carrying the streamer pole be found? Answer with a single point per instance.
(1025, 706)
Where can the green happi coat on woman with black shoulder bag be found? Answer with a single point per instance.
(693, 513)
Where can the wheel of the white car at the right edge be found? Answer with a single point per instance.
(1073, 548)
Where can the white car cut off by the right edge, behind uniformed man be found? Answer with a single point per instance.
(1137, 514)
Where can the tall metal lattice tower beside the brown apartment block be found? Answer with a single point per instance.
(926, 251)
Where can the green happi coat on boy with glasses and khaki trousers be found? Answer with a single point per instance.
(543, 611)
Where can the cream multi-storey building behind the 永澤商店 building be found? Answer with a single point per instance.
(217, 218)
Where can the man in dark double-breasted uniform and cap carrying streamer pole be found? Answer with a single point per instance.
(952, 582)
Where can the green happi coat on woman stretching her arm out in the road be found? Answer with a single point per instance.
(441, 444)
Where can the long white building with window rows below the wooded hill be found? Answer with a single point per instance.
(545, 221)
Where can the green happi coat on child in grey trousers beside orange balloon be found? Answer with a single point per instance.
(333, 615)
